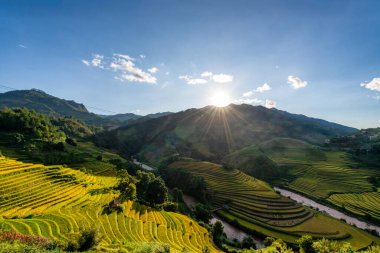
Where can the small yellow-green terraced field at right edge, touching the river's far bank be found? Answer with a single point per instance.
(362, 204)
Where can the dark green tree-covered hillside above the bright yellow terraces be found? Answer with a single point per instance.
(35, 137)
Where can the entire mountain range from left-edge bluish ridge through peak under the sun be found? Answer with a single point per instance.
(208, 133)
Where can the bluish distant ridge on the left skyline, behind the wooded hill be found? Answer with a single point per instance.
(56, 107)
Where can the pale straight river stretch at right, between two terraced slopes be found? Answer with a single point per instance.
(328, 210)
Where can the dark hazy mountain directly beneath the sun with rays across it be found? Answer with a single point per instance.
(211, 132)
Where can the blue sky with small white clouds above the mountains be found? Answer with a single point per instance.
(318, 58)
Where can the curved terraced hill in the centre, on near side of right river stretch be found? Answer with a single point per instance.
(256, 207)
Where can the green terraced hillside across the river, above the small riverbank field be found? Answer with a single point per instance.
(318, 173)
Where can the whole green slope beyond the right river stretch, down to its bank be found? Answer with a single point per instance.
(320, 174)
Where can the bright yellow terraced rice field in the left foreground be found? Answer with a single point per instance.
(55, 202)
